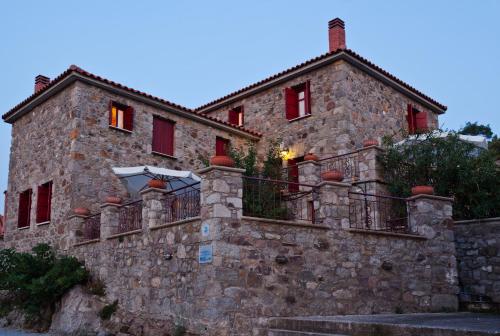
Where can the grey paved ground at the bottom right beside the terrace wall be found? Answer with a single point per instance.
(454, 321)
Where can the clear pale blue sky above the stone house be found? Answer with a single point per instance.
(191, 52)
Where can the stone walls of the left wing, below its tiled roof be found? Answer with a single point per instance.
(67, 140)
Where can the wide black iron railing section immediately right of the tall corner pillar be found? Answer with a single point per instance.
(277, 199)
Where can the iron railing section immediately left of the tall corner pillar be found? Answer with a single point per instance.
(183, 203)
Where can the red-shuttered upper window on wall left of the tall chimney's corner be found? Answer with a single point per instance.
(298, 101)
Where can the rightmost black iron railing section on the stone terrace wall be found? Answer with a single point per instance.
(378, 213)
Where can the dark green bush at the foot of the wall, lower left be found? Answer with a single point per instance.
(39, 279)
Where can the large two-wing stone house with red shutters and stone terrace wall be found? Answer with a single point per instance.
(69, 134)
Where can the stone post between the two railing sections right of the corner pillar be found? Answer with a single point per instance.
(333, 204)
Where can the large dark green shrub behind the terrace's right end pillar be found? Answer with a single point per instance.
(455, 168)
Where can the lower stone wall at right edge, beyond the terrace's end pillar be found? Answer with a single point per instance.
(478, 255)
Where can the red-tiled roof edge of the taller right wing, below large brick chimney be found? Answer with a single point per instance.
(319, 58)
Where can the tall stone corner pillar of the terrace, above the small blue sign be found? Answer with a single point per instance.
(221, 198)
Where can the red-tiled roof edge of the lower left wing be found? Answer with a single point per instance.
(76, 69)
